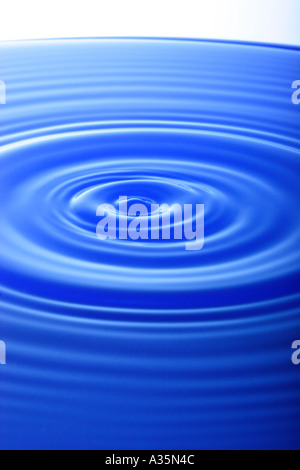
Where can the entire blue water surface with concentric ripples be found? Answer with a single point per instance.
(144, 345)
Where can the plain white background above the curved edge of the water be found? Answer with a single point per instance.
(275, 21)
